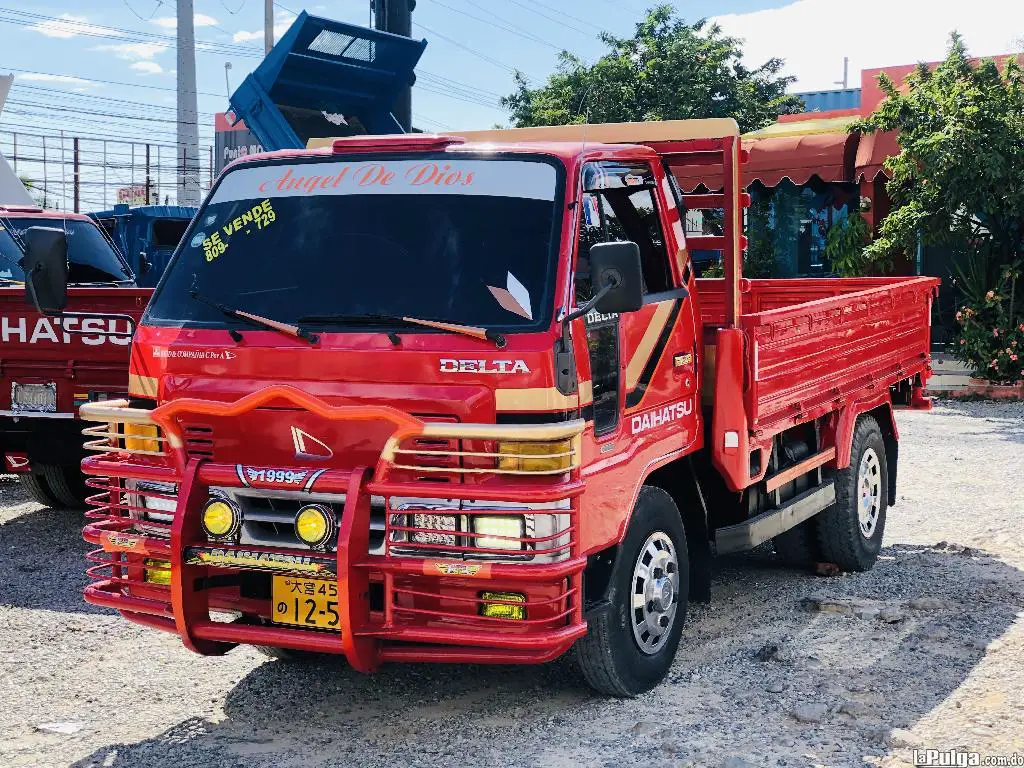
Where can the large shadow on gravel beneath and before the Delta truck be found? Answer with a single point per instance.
(716, 702)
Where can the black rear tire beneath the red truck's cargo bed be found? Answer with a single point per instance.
(840, 534)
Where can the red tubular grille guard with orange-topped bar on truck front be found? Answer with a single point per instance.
(431, 606)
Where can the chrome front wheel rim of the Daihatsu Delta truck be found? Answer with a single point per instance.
(656, 593)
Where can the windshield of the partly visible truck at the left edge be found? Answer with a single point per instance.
(91, 259)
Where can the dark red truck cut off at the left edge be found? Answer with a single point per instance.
(51, 367)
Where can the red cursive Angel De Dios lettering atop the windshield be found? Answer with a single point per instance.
(371, 175)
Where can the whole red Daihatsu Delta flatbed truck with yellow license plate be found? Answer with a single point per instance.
(461, 400)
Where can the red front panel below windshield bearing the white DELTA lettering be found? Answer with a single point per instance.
(432, 376)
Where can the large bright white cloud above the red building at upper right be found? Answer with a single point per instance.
(814, 36)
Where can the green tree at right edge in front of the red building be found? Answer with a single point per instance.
(960, 176)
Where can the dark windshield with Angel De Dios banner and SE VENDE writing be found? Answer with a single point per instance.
(456, 240)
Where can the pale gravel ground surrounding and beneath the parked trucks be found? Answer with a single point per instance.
(784, 668)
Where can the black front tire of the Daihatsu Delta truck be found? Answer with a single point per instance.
(610, 657)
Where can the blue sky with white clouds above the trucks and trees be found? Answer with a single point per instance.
(117, 80)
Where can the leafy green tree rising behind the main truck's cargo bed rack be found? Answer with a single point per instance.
(669, 70)
